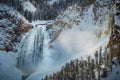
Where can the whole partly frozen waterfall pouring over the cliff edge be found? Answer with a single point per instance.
(32, 48)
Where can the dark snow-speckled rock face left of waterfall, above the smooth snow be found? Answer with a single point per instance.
(12, 26)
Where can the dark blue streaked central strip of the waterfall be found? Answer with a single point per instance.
(38, 45)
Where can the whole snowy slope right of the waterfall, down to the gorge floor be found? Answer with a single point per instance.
(77, 32)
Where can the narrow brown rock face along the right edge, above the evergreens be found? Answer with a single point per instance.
(114, 43)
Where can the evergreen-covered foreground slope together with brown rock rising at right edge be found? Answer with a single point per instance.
(104, 66)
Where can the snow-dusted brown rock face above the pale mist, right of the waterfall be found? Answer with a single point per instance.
(75, 15)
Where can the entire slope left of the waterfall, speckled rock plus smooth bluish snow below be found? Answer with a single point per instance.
(12, 27)
